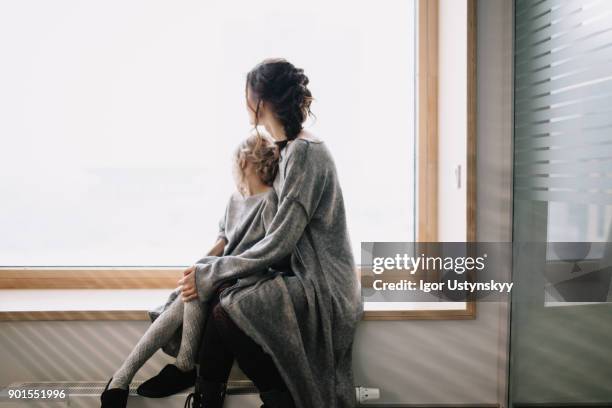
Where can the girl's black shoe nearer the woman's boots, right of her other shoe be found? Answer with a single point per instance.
(169, 381)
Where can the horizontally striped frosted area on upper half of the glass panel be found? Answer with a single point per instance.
(563, 101)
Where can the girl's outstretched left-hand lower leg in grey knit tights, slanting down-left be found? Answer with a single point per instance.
(158, 334)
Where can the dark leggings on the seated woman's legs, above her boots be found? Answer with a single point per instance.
(223, 341)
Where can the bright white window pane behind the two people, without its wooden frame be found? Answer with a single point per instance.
(118, 120)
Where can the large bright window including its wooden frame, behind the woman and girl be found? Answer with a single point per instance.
(118, 121)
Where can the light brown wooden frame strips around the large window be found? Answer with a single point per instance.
(426, 202)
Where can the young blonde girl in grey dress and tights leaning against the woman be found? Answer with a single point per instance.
(177, 325)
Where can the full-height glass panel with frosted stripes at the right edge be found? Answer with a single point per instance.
(561, 351)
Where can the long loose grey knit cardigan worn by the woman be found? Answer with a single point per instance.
(306, 321)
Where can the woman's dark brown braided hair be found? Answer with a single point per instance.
(285, 87)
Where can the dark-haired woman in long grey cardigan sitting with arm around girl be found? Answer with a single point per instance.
(303, 320)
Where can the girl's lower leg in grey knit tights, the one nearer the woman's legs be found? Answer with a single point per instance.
(193, 323)
